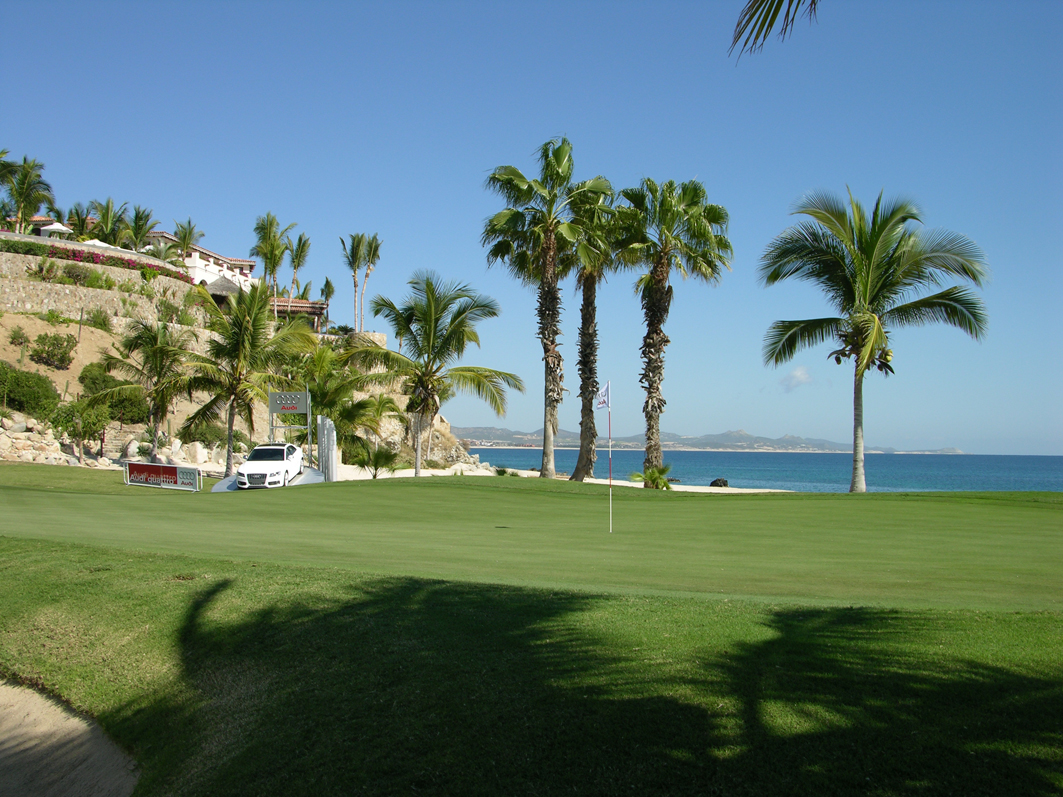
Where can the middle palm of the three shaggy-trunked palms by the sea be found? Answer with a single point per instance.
(595, 260)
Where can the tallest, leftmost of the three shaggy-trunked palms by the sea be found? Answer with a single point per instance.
(531, 238)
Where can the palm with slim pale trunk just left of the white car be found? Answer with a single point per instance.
(242, 360)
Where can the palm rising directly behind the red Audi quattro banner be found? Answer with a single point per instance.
(154, 358)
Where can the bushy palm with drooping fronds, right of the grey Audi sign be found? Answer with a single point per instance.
(436, 324)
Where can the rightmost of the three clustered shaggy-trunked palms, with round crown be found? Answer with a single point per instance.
(668, 228)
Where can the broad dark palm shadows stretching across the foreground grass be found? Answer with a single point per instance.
(416, 687)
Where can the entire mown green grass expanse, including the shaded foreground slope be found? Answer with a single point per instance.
(240, 672)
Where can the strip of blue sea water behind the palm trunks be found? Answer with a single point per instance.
(816, 472)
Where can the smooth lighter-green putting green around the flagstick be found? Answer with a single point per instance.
(987, 551)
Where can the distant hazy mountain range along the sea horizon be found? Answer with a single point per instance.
(494, 437)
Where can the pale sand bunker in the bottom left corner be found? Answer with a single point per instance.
(47, 751)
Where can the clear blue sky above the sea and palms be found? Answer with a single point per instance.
(387, 118)
